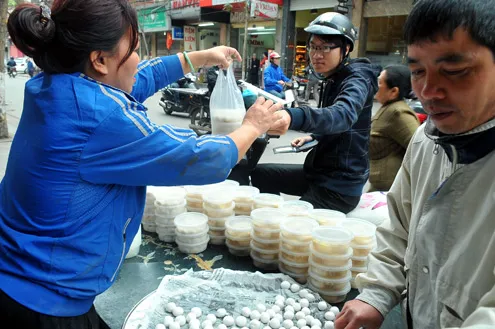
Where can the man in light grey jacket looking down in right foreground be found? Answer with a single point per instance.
(436, 255)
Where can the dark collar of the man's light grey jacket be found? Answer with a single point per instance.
(464, 148)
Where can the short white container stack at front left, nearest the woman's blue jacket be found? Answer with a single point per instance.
(191, 231)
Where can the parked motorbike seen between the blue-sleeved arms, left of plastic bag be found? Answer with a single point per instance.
(177, 97)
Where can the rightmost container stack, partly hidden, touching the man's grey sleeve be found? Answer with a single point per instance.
(363, 243)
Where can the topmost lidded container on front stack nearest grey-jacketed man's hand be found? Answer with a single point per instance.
(332, 240)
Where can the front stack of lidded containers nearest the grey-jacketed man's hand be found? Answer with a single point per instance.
(330, 262)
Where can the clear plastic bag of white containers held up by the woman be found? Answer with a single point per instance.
(226, 104)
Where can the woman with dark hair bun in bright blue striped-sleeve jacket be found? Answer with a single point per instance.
(74, 189)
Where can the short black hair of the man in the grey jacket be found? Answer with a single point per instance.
(430, 19)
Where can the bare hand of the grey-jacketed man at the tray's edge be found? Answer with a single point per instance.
(357, 314)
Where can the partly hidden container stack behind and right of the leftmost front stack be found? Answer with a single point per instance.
(218, 205)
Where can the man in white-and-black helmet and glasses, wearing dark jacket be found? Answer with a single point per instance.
(335, 171)
